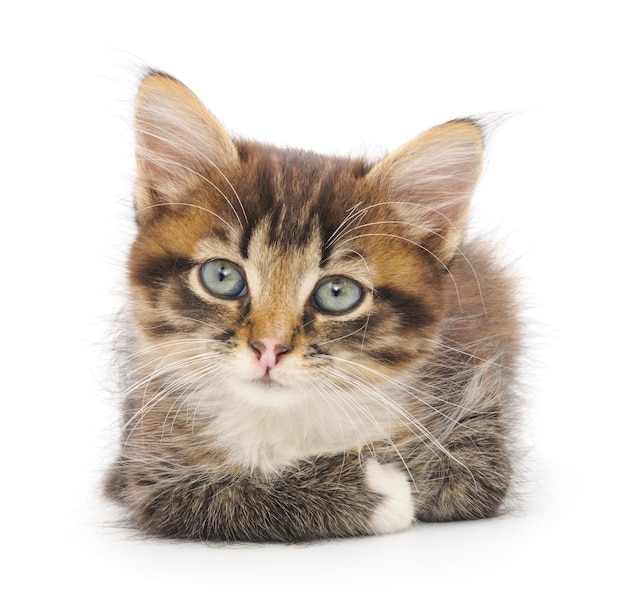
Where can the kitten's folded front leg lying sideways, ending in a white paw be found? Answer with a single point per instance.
(335, 496)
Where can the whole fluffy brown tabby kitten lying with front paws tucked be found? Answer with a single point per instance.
(315, 349)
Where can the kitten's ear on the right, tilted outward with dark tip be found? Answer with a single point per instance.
(432, 179)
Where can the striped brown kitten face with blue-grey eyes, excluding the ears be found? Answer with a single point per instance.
(304, 286)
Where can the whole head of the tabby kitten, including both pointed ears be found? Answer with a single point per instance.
(268, 273)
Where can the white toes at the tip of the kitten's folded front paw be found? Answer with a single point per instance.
(395, 512)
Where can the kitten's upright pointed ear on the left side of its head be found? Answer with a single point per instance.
(178, 141)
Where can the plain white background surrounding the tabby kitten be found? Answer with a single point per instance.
(336, 77)
